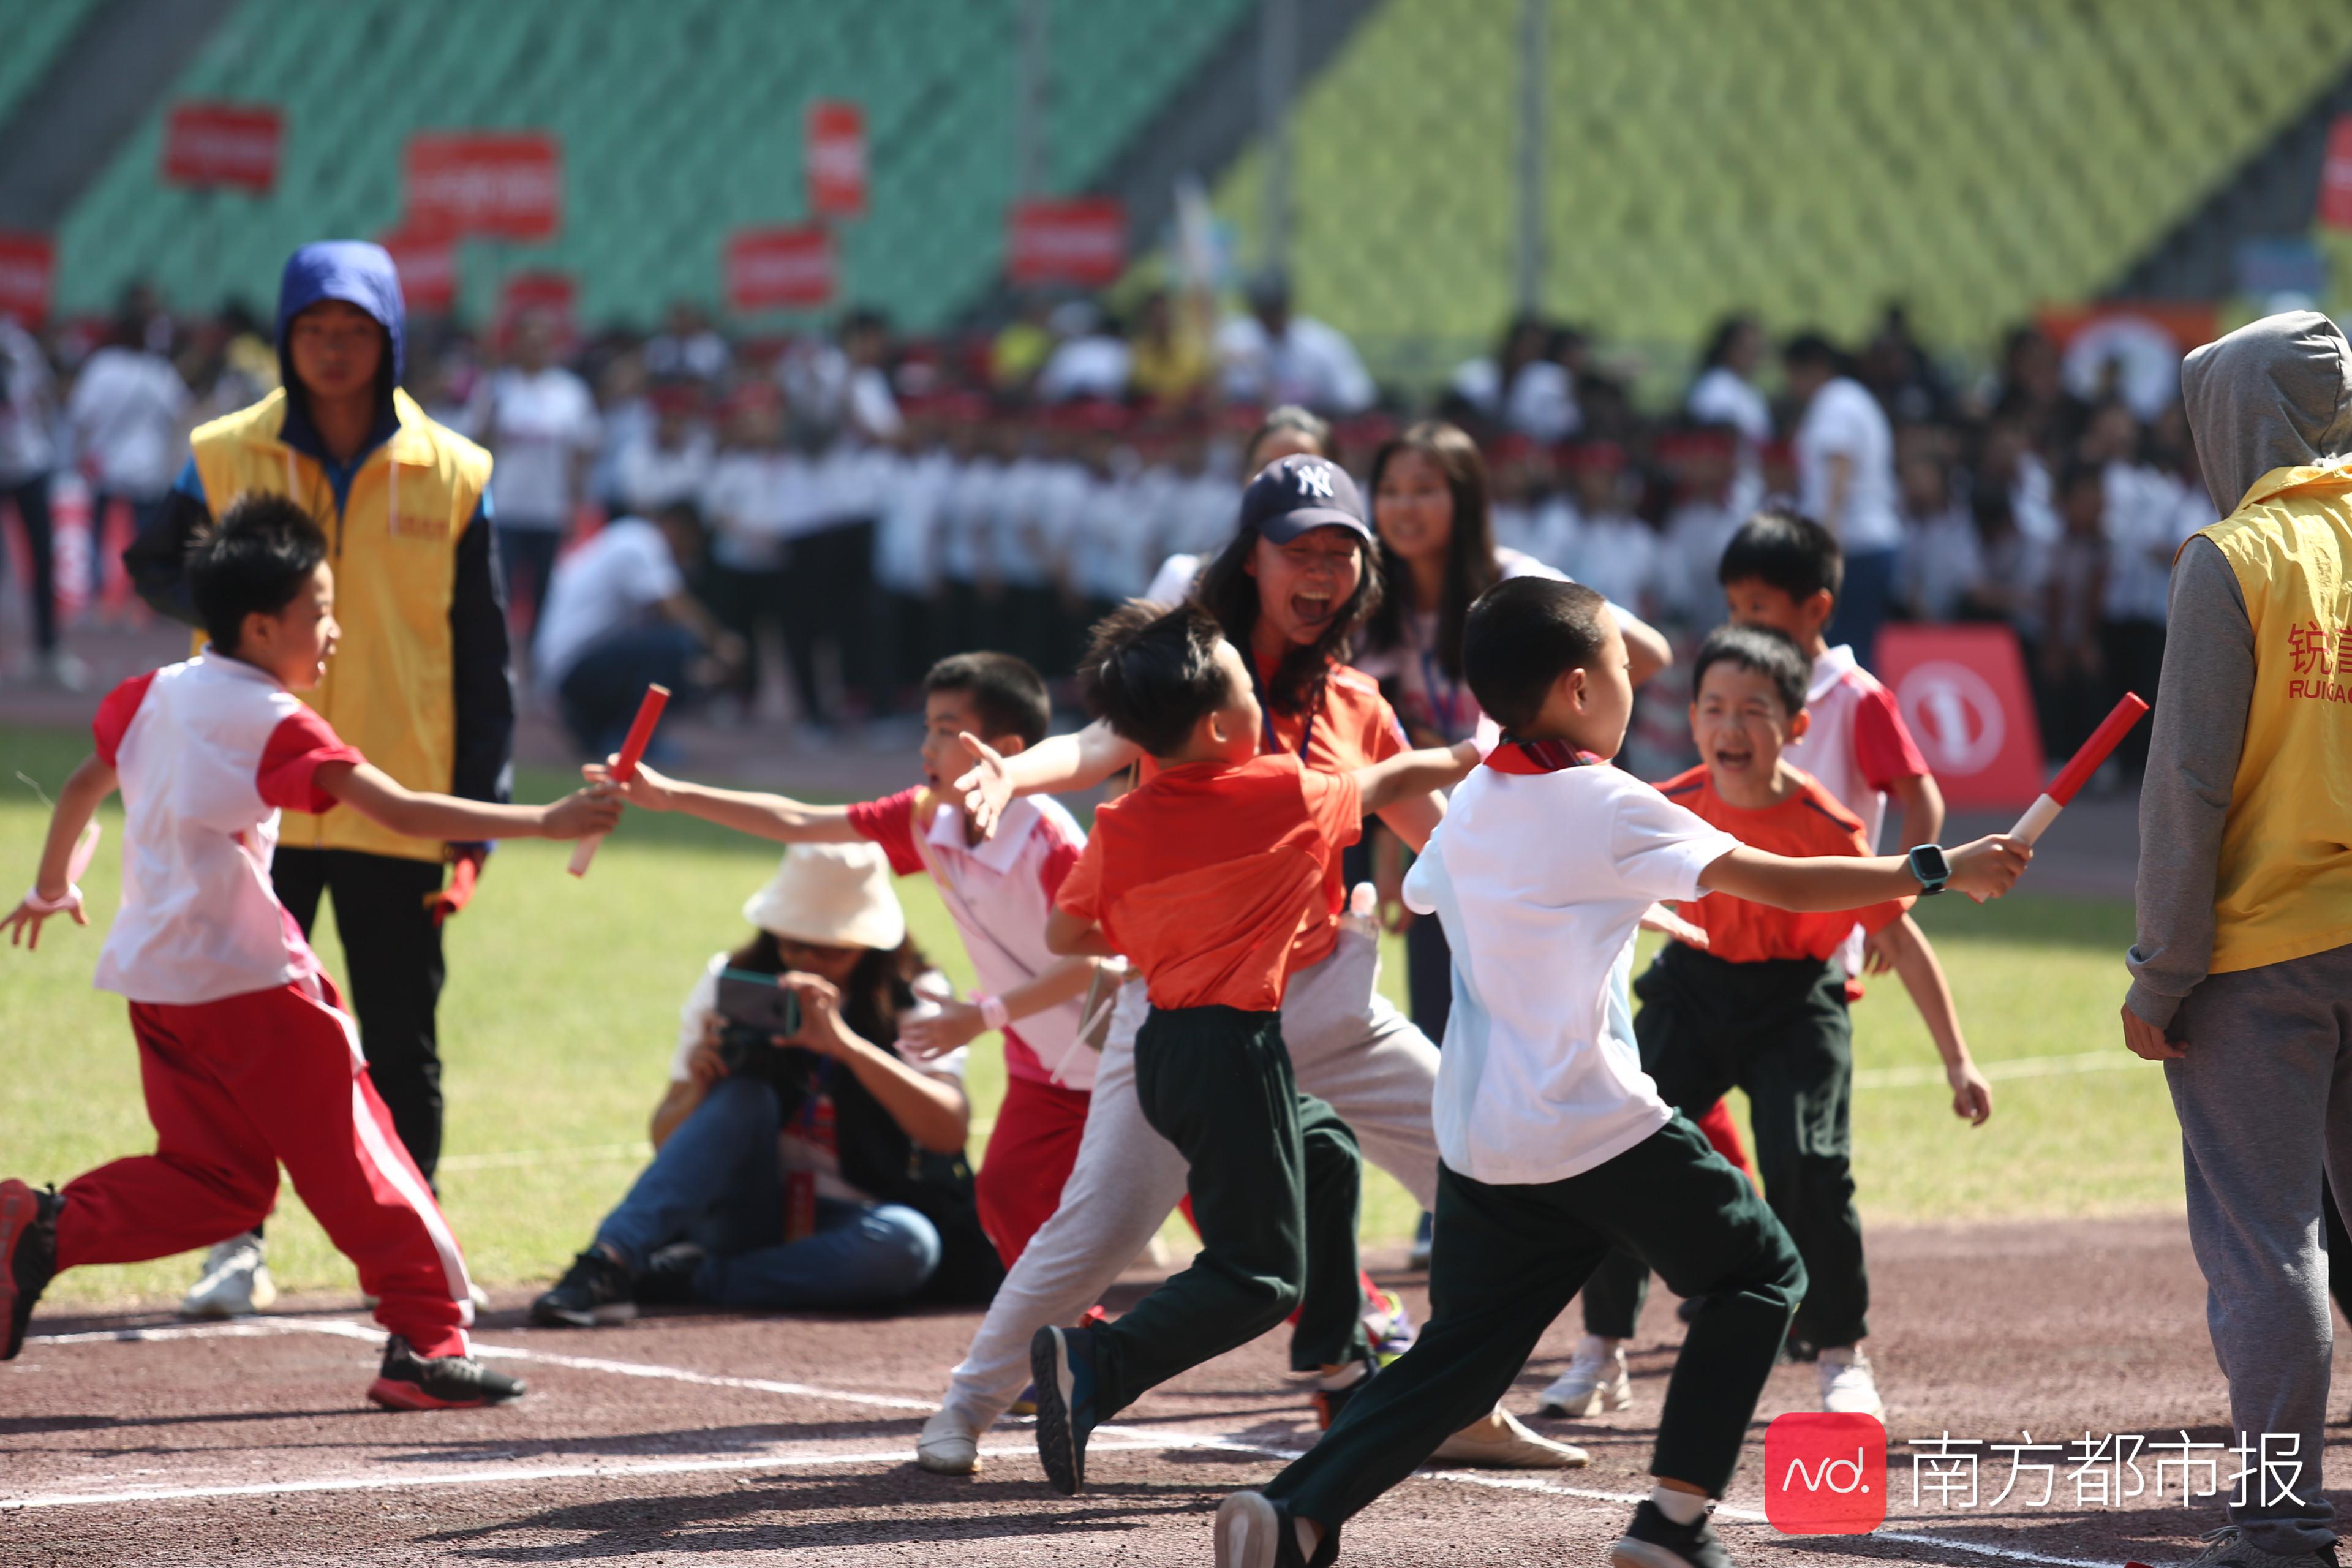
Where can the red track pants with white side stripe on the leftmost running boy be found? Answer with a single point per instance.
(236, 1087)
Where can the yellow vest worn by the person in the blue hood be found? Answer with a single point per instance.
(389, 685)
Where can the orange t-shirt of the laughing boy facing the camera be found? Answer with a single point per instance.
(1808, 824)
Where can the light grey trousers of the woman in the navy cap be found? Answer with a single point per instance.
(1349, 1047)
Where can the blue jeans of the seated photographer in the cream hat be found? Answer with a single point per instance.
(719, 1184)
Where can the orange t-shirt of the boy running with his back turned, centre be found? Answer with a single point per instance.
(1210, 878)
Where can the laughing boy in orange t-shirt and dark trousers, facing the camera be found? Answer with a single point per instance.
(1765, 1010)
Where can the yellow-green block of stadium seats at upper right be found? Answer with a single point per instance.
(1772, 154)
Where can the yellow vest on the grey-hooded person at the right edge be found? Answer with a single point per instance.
(2285, 878)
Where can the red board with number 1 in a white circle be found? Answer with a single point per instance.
(1965, 699)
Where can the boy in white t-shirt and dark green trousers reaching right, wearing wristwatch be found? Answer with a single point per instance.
(1556, 1146)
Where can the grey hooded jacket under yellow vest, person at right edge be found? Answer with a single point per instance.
(2276, 394)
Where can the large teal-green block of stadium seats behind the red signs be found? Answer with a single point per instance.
(681, 123)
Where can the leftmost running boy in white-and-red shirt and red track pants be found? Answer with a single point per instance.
(246, 1050)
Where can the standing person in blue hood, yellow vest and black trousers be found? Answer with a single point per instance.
(420, 681)
